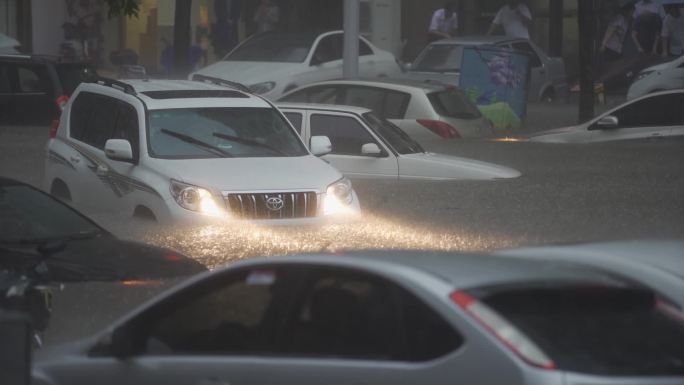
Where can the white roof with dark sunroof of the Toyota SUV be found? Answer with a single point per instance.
(170, 94)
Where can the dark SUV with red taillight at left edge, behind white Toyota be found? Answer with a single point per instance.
(34, 88)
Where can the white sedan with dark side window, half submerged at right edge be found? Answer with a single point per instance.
(654, 116)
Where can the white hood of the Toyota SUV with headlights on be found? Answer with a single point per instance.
(252, 174)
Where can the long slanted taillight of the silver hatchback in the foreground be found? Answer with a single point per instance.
(503, 330)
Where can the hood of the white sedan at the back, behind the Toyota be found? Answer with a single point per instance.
(250, 73)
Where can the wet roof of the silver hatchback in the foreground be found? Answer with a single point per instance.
(463, 271)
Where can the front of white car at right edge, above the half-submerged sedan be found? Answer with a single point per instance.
(660, 77)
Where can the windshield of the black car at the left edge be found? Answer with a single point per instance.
(29, 216)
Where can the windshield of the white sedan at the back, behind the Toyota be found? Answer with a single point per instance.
(271, 47)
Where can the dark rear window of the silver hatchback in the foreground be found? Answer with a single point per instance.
(598, 330)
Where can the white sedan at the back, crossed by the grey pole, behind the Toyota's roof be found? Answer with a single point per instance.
(273, 63)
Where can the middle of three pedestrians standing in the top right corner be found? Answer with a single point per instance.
(648, 24)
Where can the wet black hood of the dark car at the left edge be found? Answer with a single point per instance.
(106, 259)
